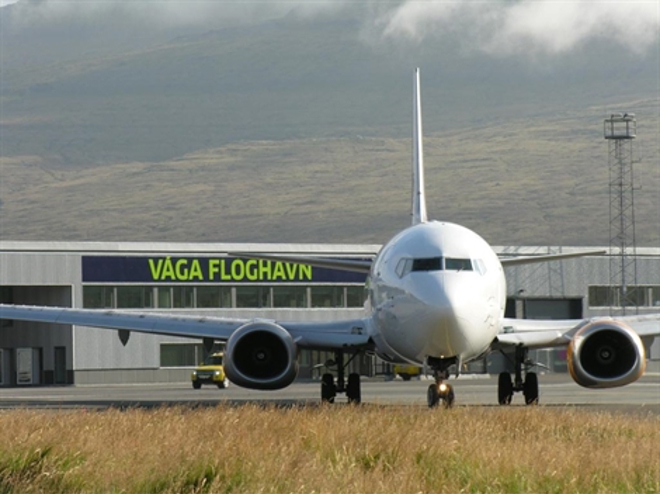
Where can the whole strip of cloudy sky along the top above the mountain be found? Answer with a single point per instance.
(497, 27)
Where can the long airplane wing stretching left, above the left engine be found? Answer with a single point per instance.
(321, 335)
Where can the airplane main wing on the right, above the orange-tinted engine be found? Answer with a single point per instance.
(548, 333)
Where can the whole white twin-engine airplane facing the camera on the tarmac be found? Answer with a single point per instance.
(436, 299)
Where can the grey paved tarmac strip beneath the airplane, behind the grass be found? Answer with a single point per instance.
(556, 390)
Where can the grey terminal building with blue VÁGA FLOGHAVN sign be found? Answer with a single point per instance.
(210, 280)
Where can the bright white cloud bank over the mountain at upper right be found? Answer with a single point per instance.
(526, 26)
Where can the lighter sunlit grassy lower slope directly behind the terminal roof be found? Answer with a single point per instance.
(521, 182)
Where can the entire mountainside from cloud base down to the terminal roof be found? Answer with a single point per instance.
(296, 128)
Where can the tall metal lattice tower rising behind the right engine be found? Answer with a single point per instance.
(620, 130)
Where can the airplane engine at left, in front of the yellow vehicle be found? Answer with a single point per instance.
(261, 355)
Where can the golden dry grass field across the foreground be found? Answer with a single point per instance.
(328, 449)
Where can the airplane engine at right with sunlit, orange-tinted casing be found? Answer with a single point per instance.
(606, 353)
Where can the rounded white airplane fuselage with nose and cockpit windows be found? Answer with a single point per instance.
(436, 290)
